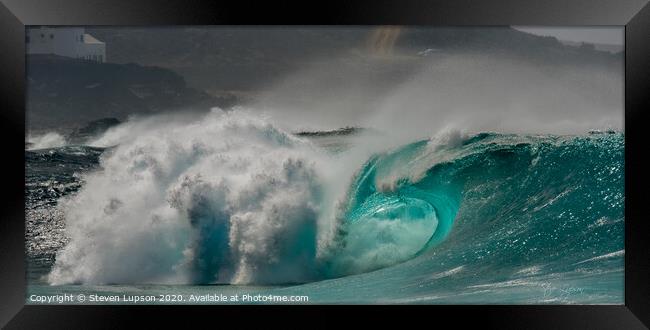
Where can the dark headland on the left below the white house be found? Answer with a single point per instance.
(67, 93)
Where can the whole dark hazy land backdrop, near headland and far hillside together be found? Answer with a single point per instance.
(195, 68)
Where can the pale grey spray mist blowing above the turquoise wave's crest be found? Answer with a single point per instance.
(471, 92)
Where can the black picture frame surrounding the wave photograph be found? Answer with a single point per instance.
(633, 14)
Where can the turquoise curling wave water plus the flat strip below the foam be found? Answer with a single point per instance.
(504, 219)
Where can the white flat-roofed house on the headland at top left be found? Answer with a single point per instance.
(69, 41)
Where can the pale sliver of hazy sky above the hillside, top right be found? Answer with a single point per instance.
(612, 35)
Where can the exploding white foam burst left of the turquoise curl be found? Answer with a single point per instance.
(228, 198)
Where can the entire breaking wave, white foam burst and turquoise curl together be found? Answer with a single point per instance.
(232, 199)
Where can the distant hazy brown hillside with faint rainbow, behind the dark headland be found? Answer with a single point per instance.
(248, 59)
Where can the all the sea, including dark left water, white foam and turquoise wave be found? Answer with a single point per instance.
(233, 206)
